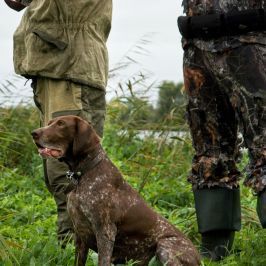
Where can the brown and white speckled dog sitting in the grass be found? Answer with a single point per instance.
(108, 215)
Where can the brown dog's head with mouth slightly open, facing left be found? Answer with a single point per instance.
(66, 137)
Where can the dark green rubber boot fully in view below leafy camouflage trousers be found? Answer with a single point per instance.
(218, 216)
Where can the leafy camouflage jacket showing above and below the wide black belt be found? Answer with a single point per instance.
(204, 7)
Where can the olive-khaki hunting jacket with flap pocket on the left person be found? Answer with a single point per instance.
(64, 39)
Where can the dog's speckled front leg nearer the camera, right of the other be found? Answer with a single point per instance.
(105, 243)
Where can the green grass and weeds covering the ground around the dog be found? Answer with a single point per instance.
(156, 165)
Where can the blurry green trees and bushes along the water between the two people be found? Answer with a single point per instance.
(138, 112)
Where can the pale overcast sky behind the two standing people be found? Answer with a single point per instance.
(133, 20)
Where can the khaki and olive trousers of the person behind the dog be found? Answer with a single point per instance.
(59, 97)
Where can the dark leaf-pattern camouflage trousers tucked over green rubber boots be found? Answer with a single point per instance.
(227, 95)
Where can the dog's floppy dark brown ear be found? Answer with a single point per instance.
(85, 139)
